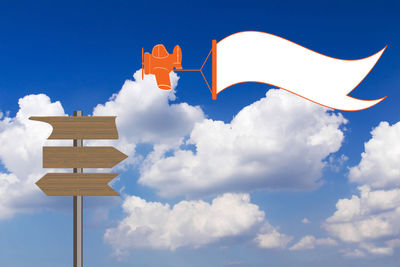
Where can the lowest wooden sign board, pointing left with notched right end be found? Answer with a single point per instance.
(77, 184)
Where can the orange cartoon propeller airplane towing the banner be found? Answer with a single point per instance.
(161, 63)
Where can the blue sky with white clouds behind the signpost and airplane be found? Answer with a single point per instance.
(80, 54)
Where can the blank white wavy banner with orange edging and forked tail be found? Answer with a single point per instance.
(266, 58)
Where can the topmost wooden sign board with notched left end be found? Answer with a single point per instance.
(85, 127)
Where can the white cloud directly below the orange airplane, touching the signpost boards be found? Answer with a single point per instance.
(145, 114)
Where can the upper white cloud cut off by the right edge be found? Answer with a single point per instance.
(380, 162)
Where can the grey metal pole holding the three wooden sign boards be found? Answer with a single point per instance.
(78, 213)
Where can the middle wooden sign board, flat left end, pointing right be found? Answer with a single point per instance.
(81, 157)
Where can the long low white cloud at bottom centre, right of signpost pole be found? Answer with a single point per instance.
(188, 223)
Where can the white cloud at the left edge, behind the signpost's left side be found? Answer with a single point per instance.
(21, 142)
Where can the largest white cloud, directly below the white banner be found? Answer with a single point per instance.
(278, 142)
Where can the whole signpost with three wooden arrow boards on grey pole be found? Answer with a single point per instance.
(79, 184)
